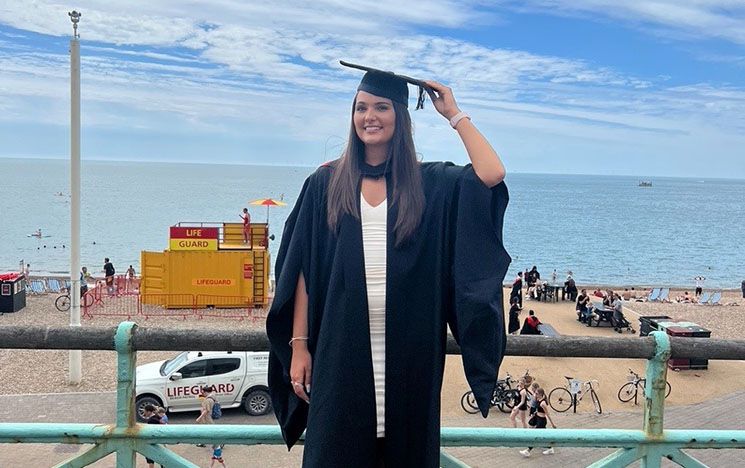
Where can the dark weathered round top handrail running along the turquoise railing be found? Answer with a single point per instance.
(159, 339)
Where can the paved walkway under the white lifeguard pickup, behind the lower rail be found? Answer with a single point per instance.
(725, 413)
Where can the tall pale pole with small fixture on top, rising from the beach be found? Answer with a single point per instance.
(75, 375)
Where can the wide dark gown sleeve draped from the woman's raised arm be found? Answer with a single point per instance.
(479, 265)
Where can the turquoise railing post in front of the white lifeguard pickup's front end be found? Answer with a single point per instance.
(125, 390)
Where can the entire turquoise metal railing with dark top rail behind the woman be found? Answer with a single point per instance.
(126, 438)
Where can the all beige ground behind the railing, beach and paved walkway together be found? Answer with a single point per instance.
(33, 389)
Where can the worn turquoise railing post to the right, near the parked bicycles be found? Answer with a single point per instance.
(654, 390)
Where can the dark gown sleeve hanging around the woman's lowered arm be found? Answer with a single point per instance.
(292, 259)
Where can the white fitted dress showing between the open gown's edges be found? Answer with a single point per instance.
(374, 240)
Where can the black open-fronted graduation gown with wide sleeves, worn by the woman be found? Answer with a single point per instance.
(450, 272)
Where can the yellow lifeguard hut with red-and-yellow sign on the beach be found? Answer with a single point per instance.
(208, 265)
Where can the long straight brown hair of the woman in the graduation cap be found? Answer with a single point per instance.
(405, 176)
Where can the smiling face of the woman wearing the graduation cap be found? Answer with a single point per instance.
(374, 119)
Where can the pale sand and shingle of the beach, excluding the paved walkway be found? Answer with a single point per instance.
(31, 371)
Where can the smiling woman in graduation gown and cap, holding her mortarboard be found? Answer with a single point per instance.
(379, 255)
